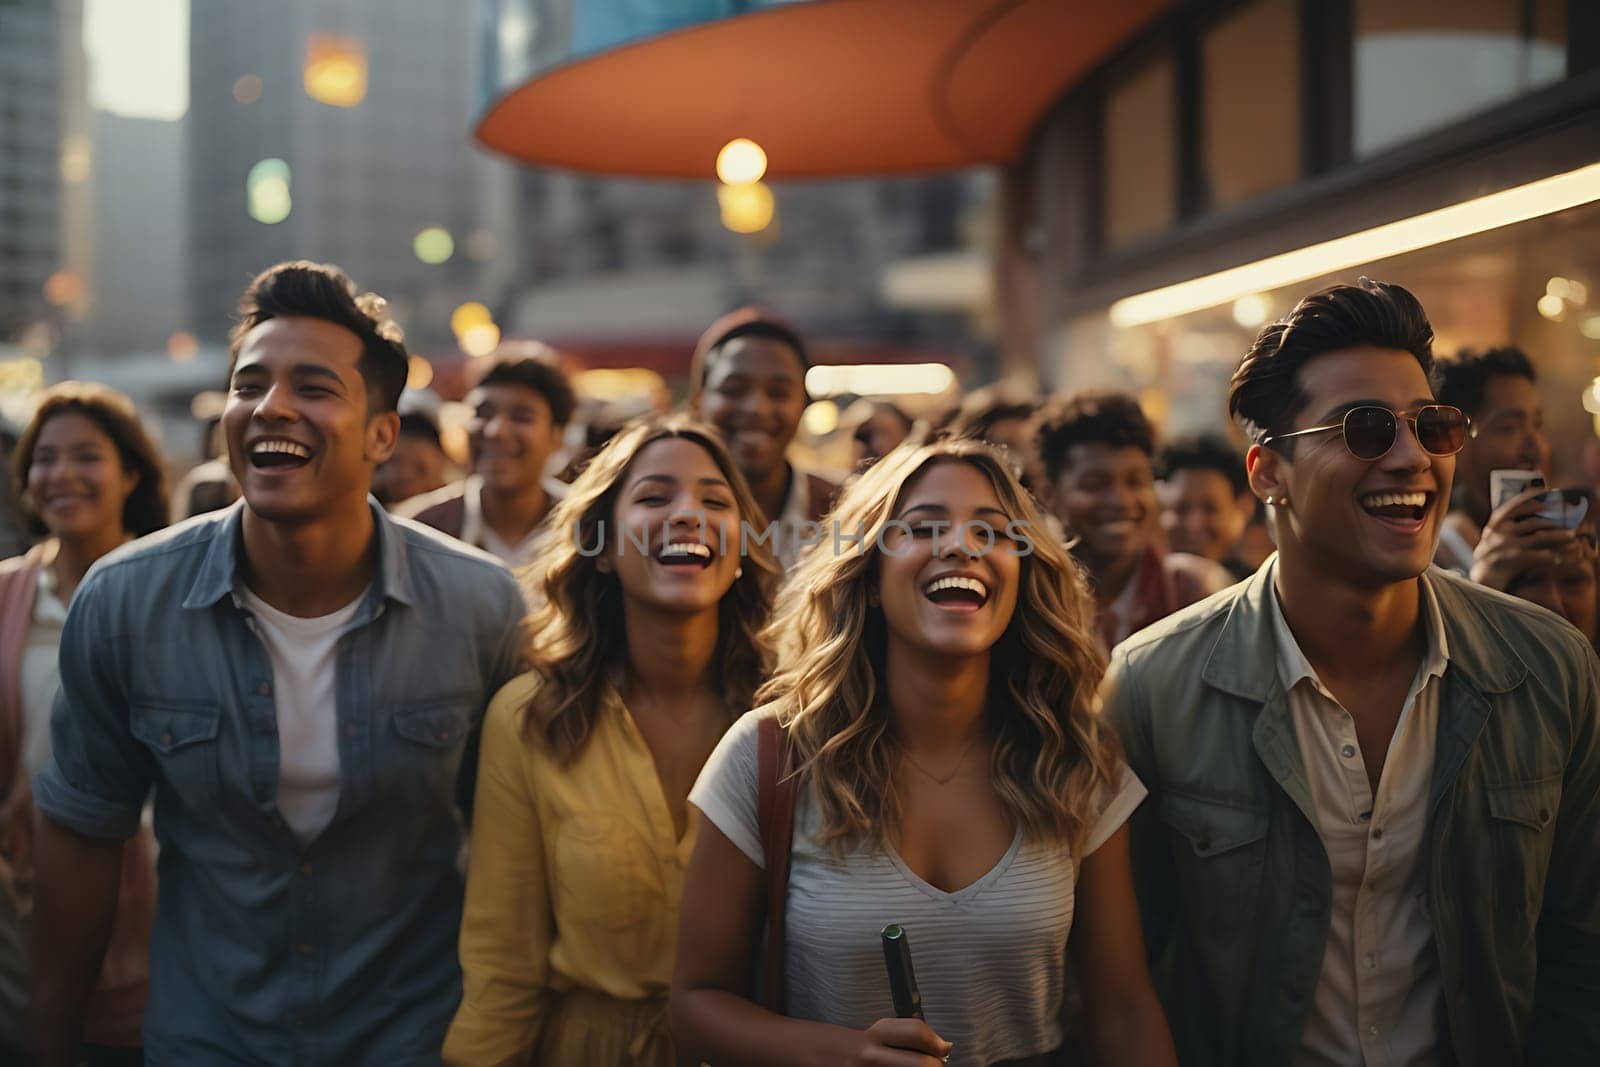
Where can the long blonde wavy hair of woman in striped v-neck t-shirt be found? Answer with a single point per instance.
(1054, 762)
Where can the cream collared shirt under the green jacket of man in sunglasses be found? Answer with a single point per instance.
(1378, 1001)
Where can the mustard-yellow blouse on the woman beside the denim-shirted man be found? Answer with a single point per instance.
(574, 892)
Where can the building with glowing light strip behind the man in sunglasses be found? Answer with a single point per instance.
(1217, 169)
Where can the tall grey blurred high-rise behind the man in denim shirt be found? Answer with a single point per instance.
(338, 132)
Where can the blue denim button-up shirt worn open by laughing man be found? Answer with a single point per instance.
(265, 951)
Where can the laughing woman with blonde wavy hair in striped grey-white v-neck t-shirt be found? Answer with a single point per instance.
(937, 684)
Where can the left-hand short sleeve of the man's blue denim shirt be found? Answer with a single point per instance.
(98, 775)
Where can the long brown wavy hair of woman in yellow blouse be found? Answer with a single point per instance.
(577, 634)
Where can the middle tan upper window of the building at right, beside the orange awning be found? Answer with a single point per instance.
(1250, 113)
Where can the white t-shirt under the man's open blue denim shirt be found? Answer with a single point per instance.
(305, 685)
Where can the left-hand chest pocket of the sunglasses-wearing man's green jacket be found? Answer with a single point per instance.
(1220, 855)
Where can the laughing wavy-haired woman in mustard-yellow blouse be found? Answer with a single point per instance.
(644, 652)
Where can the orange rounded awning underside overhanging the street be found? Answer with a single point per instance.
(828, 89)
